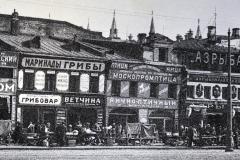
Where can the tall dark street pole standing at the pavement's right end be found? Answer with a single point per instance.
(229, 138)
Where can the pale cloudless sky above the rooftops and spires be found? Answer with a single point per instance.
(171, 17)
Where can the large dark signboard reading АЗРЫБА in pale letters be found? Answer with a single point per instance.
(212, 61)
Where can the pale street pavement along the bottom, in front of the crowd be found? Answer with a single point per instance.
(121, 154)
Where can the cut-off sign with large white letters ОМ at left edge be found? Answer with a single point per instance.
(8, 86)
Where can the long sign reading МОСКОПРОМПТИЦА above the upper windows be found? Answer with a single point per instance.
(143, 76)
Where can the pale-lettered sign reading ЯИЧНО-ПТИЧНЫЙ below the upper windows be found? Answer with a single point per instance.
(141, 103)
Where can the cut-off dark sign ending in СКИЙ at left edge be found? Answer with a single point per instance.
(8, 59)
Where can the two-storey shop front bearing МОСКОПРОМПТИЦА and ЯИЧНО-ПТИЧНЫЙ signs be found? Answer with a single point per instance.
(143, 93)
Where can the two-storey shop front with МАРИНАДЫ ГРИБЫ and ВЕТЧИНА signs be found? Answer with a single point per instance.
(60, 90)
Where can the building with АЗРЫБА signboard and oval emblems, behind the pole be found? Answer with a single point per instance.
(204, 90)
